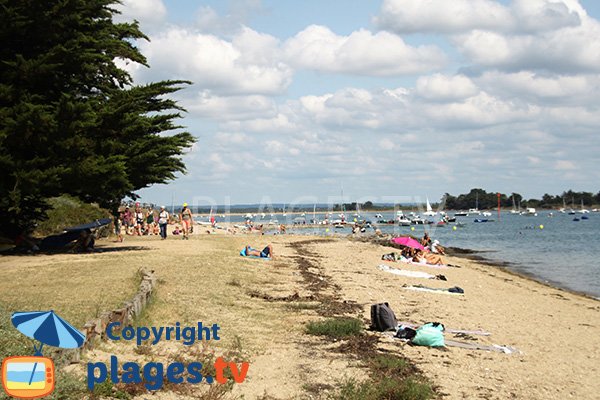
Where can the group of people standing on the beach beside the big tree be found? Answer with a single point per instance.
(141, 222)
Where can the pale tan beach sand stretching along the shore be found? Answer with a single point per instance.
(263, 306)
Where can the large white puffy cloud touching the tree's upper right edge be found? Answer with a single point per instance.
(245, 65)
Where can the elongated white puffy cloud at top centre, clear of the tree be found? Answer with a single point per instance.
(361, 52)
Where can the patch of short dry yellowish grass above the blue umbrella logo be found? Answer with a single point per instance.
(78, 287)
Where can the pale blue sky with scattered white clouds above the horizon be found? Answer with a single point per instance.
(301, 101)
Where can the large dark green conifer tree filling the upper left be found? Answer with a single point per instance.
(71, 120)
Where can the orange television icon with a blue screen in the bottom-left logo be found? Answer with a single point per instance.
(28, 377)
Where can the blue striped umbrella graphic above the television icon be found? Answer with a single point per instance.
(48, 328)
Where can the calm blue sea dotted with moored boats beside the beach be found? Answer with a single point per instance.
(549, 247)
